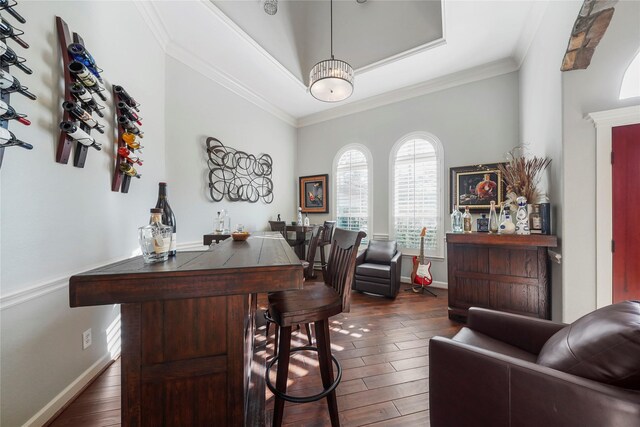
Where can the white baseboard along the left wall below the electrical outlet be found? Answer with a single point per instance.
(51, 409)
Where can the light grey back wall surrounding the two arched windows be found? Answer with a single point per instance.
(476, 123)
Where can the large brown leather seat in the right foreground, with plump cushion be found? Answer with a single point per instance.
(509, 370)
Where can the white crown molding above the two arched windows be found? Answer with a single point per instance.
(470, 75)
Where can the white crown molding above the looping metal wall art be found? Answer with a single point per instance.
(193, 61)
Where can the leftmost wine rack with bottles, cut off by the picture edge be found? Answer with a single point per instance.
(9, 83)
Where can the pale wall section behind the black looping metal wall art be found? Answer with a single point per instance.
(198, 108)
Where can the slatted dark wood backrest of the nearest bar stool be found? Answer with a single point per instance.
(342, 261)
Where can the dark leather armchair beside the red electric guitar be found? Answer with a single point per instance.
(378, 269)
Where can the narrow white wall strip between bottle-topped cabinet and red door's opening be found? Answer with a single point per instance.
(541, 114)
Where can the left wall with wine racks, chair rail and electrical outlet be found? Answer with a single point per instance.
(58, 220)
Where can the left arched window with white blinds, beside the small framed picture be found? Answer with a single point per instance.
(352, 188)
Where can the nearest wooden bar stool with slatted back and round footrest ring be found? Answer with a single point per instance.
(315, 303)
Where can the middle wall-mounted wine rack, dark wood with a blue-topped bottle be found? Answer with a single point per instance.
(82, 82)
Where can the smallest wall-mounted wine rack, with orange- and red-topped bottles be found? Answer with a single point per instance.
(129, 135)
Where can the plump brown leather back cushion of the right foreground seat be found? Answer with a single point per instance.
(603, 346)
